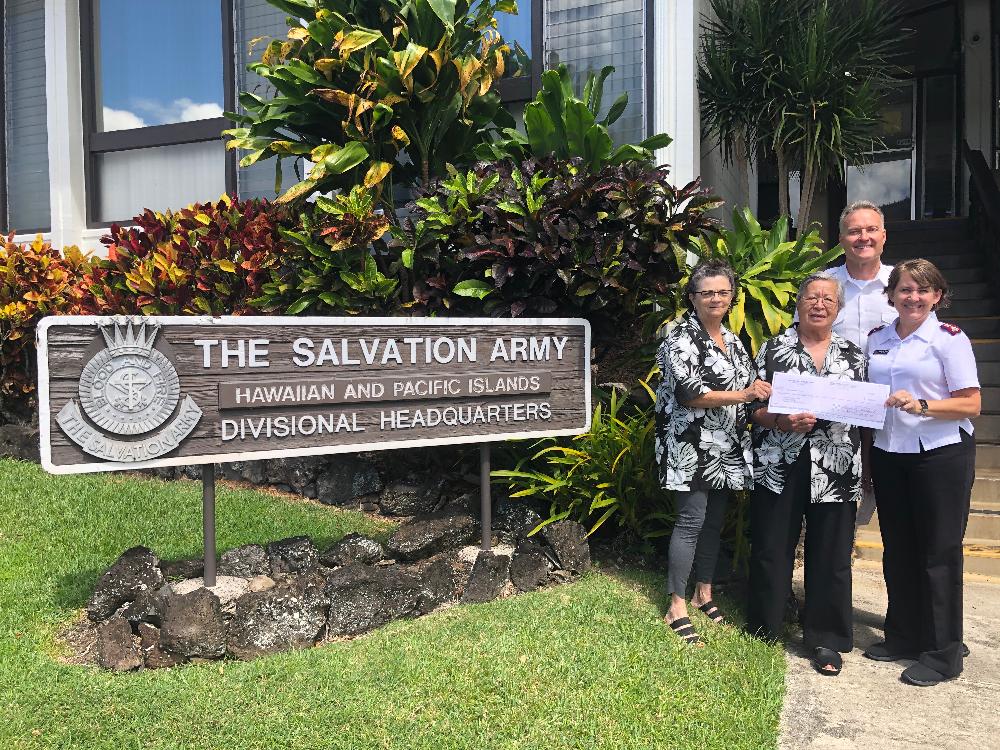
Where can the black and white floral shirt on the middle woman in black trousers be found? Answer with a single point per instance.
(835, 448)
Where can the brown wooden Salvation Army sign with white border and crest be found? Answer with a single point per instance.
(137, 392)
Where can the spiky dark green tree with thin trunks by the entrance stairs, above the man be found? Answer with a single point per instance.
(804, 79)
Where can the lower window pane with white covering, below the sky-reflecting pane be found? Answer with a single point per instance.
(158, 178)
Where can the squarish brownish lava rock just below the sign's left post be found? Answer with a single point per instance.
(192, 625)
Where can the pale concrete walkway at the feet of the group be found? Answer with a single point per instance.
(868, 706)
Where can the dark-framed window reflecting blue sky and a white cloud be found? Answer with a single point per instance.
(157, 77)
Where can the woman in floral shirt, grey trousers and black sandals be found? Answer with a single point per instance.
(702, 444)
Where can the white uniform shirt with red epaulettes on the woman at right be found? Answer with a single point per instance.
(930, 363)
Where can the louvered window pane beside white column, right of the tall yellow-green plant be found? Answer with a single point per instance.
(589, 34)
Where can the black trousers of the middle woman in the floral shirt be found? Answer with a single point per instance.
(775, 525)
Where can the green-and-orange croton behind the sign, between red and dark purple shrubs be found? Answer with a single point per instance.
(332, 260)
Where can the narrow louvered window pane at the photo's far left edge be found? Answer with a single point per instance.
(25, 125)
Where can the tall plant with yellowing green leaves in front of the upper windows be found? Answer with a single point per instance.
(376, 89)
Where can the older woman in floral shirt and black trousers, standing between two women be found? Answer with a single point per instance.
(806, 468)
